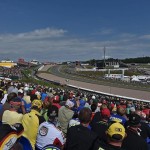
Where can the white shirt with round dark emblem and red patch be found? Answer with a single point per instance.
(49, 134)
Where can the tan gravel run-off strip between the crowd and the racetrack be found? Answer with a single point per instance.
(144, 95)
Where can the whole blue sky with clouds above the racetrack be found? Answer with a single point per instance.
(71, 30)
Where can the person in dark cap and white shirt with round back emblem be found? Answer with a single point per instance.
(48, 133)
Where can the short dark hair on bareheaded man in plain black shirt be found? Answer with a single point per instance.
(85, 115)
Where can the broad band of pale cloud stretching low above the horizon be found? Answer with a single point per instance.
(51, 44)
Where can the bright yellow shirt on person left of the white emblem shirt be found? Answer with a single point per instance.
(30, 123)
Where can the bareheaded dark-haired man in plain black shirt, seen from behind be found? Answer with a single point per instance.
(80, 137)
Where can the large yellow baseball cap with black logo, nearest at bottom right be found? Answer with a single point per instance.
(116, 129)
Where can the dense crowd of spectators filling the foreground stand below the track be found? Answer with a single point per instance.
(35, 117)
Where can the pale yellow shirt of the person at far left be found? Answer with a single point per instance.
(11, 117)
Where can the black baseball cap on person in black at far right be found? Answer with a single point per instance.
(134, 120)
